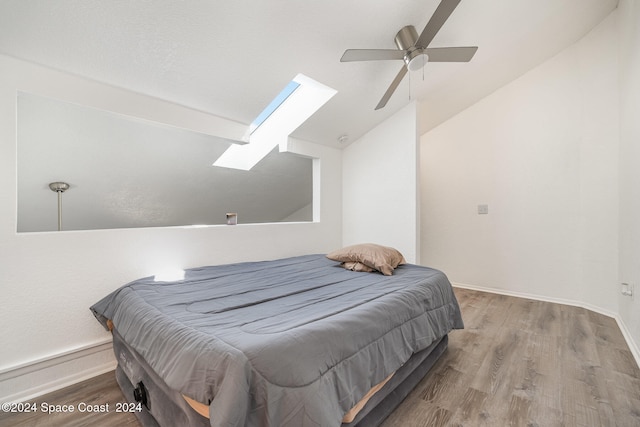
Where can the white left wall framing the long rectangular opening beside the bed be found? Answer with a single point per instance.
(49, 280)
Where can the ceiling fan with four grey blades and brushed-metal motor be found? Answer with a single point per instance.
(414, 50)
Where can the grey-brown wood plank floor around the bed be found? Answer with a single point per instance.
(518, 362)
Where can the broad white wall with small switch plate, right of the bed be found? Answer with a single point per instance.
(542, 152)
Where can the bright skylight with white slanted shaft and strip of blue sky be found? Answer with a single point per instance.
(300, 99)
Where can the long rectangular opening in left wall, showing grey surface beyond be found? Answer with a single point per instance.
(125, 172)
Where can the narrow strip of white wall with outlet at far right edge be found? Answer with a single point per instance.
(629, 22)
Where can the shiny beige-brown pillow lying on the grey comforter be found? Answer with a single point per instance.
(381, 258)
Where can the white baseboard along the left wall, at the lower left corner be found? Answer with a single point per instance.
(29, 380)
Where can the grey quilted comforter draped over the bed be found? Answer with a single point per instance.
(292, 342)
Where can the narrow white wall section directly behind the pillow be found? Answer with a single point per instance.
(379, 186)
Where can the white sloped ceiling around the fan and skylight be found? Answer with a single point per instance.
(230, 58)
